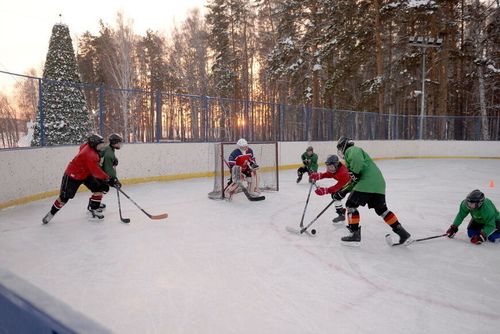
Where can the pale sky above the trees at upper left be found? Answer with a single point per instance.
(26, 25)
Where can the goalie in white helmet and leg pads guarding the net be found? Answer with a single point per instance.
(243, 170)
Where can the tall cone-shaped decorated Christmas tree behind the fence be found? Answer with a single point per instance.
(64, 114)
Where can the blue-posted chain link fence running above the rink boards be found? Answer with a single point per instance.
(141, 116)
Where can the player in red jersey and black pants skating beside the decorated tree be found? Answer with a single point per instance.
(83, 169)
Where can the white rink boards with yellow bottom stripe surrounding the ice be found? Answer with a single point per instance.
(33, 171)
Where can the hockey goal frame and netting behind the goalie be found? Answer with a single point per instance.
(266, 156)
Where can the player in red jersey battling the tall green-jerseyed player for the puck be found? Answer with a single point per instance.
(334, 170)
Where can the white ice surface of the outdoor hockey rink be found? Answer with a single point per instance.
(231, 267)
